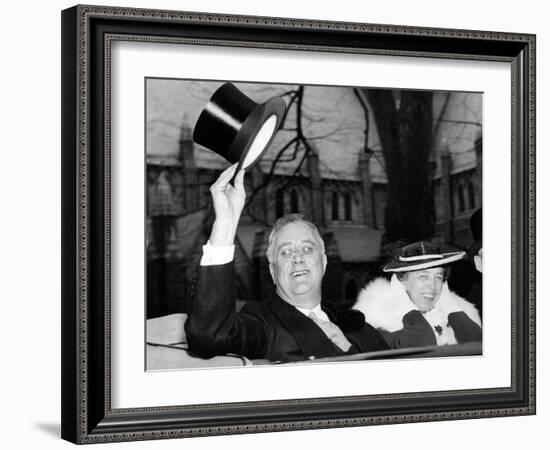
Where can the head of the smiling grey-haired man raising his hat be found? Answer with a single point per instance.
(298, 265)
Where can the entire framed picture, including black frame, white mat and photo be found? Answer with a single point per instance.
(282, 224)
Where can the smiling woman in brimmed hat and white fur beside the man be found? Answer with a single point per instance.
(416, 308)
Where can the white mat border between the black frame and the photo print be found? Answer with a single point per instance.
(133, 387)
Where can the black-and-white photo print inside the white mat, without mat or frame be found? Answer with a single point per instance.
(311, 223)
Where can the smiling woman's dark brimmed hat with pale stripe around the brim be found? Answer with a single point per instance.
(420, 255)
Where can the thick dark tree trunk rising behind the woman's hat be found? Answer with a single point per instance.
(406, 138)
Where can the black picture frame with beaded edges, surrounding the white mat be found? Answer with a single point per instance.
(87, 33)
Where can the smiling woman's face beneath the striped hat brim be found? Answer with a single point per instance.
(424, 287)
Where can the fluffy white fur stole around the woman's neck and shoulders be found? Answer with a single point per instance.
(384, 303)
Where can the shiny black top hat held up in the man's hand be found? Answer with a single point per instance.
(236, 127)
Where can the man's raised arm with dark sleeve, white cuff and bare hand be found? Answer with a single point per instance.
(213, 327)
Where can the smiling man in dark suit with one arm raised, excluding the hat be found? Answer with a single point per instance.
(292, 327)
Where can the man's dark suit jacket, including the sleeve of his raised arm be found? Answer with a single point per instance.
(276, 330)
